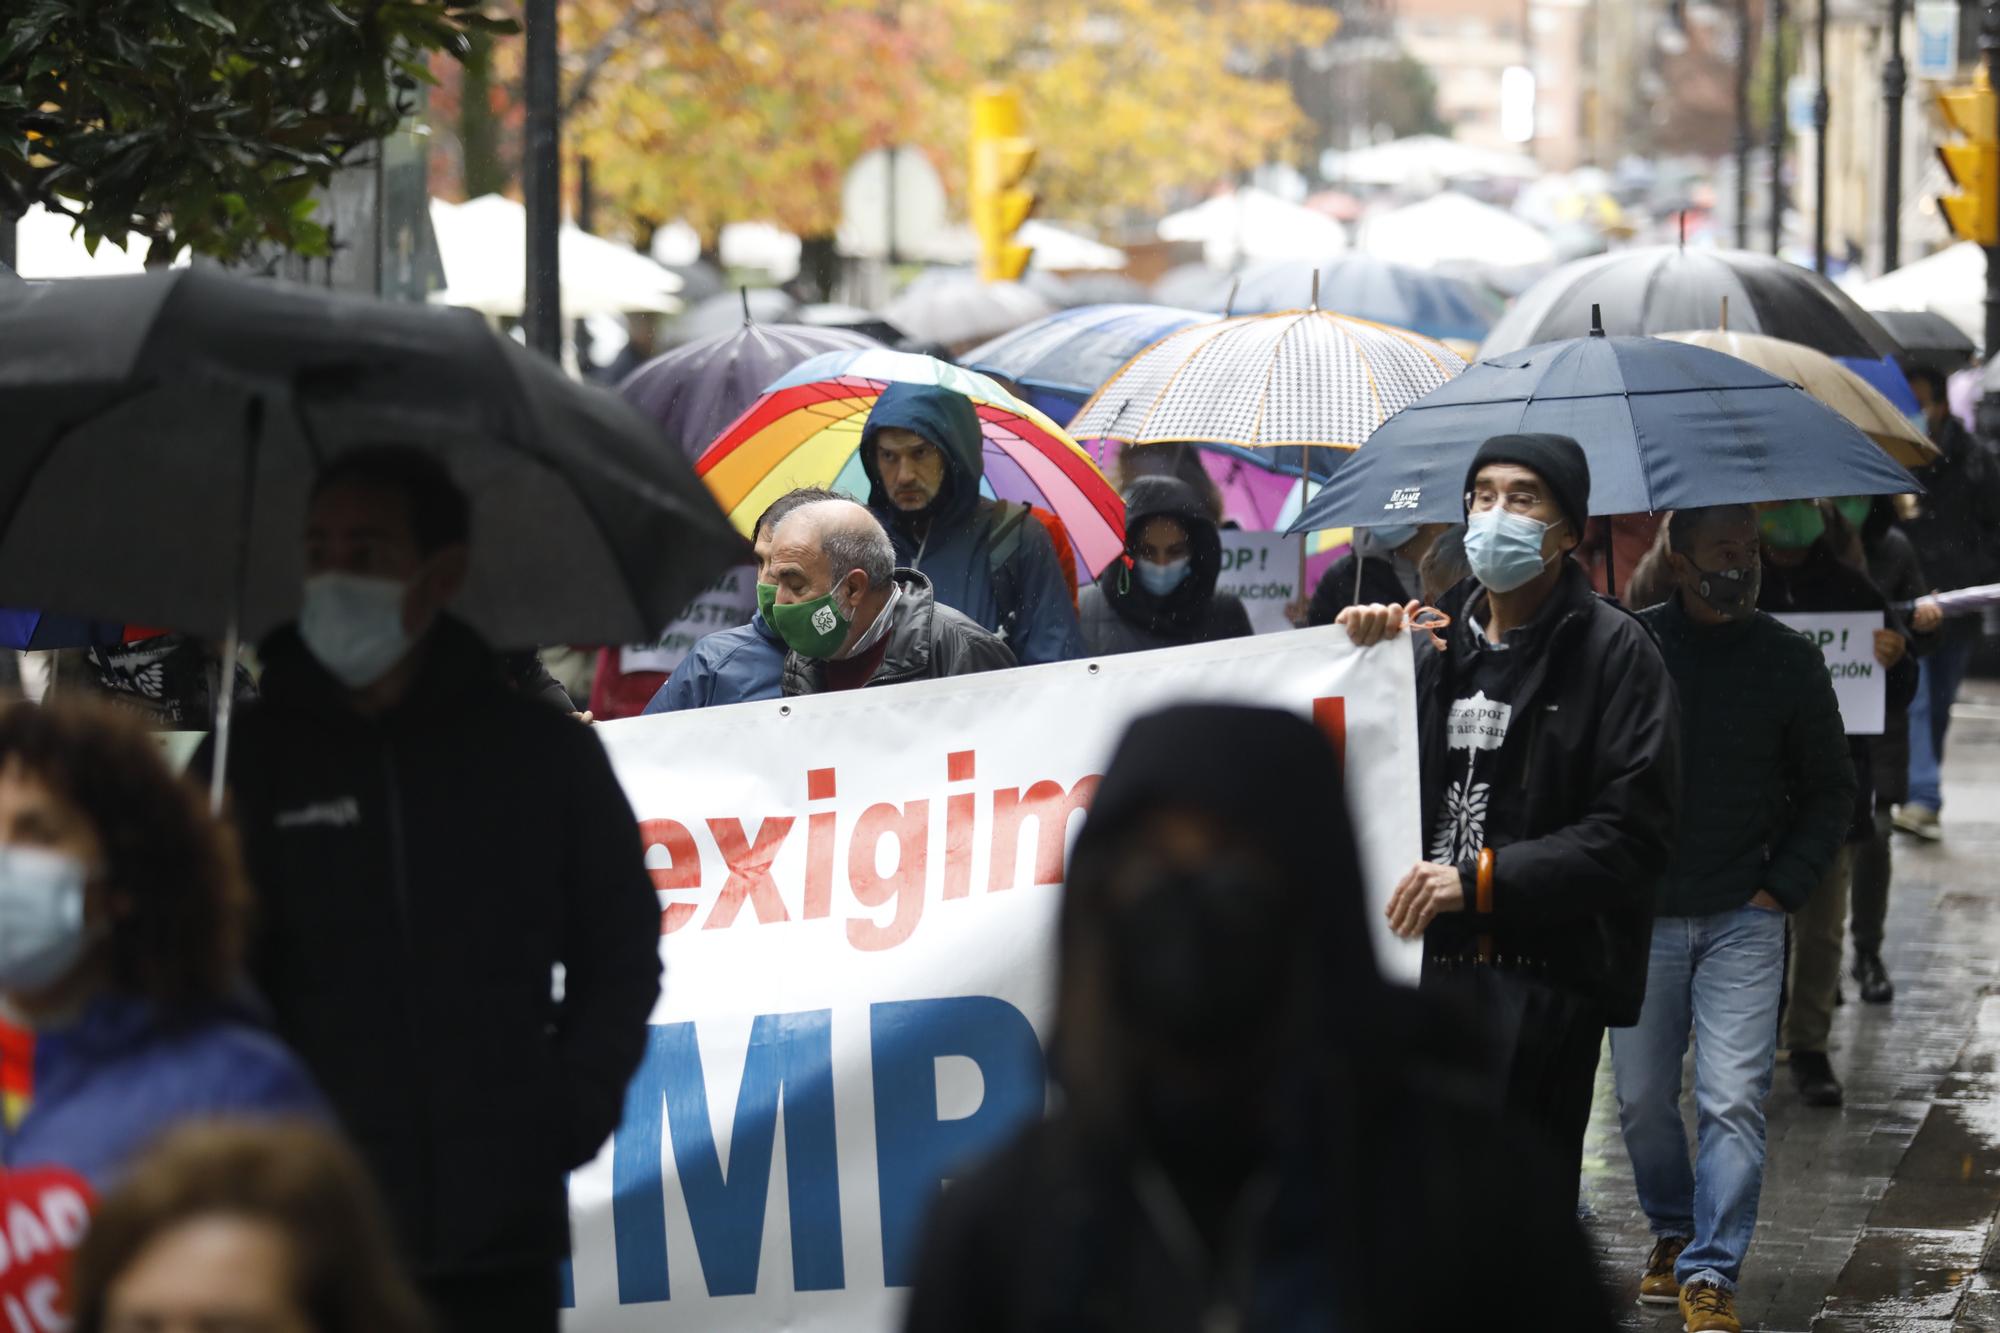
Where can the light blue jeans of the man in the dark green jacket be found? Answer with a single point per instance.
(1721, 978)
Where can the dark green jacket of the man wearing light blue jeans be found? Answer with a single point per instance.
(1767, 786)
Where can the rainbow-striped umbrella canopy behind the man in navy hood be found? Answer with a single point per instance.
(807, 431)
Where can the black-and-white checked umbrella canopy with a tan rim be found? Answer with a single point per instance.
(1299, 379)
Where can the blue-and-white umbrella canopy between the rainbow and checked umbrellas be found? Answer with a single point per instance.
(1061, 361)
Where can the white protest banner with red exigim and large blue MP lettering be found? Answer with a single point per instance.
(857, 904)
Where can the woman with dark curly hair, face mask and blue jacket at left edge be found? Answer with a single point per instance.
(121, 934)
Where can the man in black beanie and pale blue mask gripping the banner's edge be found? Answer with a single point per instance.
(1551, 774)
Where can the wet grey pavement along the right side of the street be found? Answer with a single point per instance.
(1877, 1216)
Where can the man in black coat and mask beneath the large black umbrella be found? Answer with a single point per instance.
(429, 846)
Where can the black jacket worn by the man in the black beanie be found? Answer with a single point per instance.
(1595, 752)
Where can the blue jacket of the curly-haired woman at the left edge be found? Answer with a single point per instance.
(123, 1074)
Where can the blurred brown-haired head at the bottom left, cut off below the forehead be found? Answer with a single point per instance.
(235, 1228)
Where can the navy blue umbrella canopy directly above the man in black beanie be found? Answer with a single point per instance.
(1665, 425)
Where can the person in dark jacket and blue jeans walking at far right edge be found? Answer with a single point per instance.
(1957, 537)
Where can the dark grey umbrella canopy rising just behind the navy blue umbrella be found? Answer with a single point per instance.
(1663, 289)
